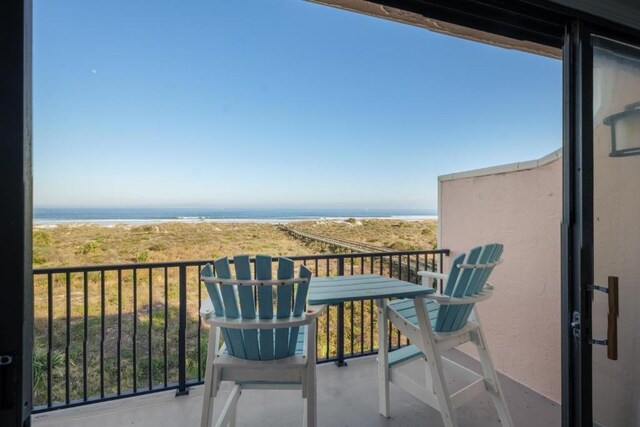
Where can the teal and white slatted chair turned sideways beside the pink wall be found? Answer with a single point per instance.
(442, 322)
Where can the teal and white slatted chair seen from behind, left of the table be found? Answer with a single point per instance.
(262, 349)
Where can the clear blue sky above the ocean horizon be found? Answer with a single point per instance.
(271, 103)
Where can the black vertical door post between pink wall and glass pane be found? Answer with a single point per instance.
(577, 225)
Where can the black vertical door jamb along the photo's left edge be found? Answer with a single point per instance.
(16, 303)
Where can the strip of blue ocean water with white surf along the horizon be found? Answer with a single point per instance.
(112, 216)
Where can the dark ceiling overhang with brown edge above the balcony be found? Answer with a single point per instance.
(535, 26)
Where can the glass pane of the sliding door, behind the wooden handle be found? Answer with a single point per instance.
(616, 85)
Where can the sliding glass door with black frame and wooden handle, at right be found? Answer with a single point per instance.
(602, 229)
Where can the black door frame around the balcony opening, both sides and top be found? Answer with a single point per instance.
(501, 17)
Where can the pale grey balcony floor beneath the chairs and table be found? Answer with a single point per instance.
(346, 397)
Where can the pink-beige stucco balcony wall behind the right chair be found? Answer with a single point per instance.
(519, 205)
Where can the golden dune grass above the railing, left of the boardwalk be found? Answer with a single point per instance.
(65, 245)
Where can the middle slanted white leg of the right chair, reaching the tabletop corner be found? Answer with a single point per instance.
(434, 363)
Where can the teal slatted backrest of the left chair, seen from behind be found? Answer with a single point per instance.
(236, 299)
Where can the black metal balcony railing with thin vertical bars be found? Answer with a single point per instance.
(109, 331)
